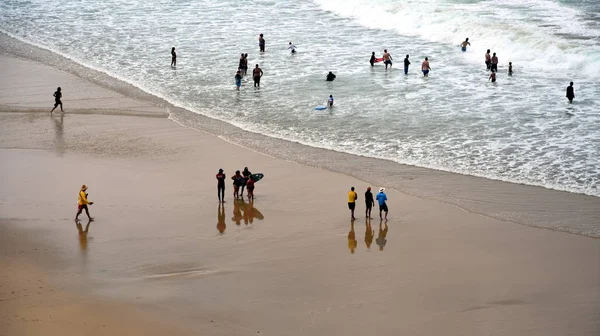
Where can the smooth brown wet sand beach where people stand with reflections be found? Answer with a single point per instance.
(292, 263)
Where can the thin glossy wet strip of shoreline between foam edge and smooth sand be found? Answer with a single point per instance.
(553, 209)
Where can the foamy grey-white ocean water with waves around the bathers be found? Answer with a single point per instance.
(520, 129)
